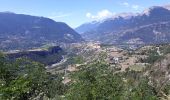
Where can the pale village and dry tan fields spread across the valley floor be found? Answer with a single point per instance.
(117, 58)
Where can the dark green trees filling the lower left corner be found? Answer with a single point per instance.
(25, 79)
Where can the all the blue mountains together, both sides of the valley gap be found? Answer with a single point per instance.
(19, 31)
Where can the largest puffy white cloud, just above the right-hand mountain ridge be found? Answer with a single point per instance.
(100, 15)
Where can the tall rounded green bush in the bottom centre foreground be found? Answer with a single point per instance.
(91, 83)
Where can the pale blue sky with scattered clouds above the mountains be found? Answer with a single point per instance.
(77, 12)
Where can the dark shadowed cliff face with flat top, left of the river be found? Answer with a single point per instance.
(47, 57)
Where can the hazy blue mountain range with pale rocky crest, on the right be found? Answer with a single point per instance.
(149, 27)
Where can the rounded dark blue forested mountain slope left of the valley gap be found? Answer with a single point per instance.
(20, 31)
